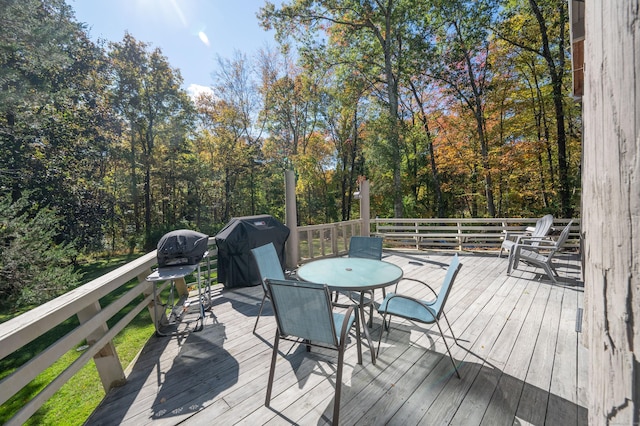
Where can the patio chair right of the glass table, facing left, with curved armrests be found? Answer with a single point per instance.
(422, 311)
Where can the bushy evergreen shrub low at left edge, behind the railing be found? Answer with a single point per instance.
(33, 267)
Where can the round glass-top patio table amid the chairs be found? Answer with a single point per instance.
(352, 274)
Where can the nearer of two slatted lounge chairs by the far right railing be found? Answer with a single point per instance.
(541, 254)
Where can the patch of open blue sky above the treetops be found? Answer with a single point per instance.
(191, 33)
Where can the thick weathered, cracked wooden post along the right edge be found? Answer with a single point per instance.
(611, 206)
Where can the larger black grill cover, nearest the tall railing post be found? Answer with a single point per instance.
(236, 266)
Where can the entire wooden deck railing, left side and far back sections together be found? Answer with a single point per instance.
(315, 241)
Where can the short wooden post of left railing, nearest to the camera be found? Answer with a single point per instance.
(107, 362)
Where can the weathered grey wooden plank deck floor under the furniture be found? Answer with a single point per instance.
(520, 356)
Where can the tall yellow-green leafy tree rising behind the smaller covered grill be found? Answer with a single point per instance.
(156, 112)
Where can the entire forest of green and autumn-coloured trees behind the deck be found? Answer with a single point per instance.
(451, 108)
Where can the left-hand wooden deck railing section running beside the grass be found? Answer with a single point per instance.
(84, 303)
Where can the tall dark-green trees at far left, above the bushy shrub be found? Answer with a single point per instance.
(52, 94)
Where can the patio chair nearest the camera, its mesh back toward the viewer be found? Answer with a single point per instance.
(304, 313)
